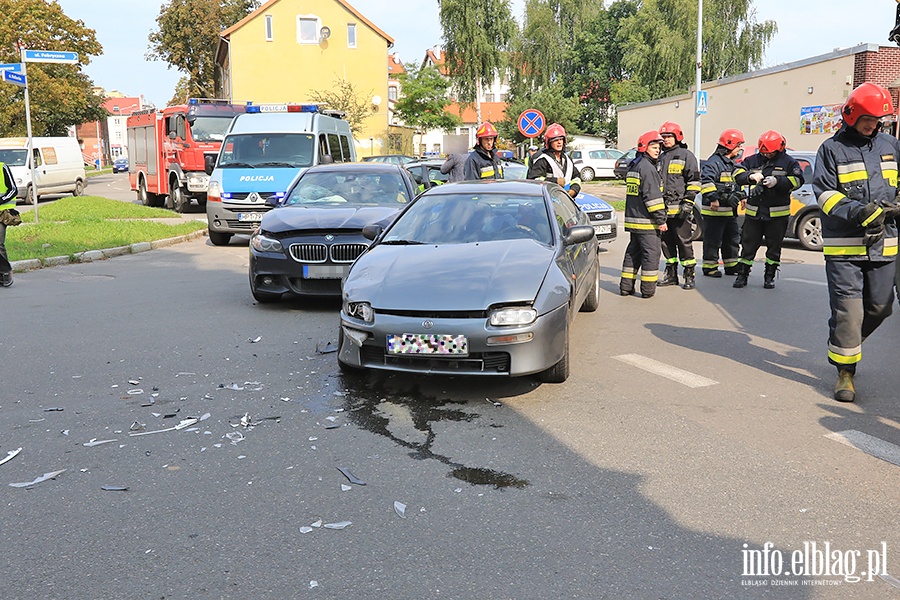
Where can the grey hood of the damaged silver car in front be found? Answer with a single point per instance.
(452, 277)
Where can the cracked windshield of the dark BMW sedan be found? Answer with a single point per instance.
(347, 188)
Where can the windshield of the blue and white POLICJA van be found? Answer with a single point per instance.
(262, 150)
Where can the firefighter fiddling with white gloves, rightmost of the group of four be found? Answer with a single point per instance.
(773, 174)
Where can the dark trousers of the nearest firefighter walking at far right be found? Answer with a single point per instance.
(861, 296)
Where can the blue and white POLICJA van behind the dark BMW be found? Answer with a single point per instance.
(264, 150)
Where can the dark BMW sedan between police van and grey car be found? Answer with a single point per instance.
(305, 245)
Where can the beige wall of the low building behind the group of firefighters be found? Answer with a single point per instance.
(752, 103)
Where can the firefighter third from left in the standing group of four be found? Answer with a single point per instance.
(721, 198)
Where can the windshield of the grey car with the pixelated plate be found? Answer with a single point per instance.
(458, 218)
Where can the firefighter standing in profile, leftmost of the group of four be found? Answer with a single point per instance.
(645, 217)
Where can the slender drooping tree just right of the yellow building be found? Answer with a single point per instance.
(476, 37)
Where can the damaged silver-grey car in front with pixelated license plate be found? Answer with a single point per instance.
(480, 278)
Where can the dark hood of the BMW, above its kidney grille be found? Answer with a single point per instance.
(290, 218)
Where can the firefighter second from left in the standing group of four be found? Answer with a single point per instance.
(681, 183)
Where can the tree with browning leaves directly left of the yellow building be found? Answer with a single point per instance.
(188, 36)
